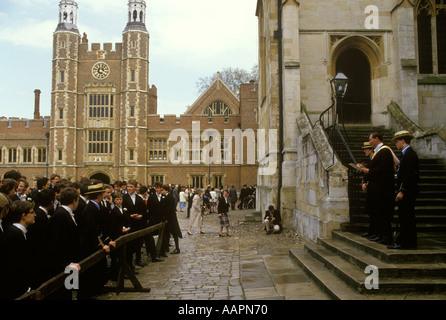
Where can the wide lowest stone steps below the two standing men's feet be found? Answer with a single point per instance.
(338, 266)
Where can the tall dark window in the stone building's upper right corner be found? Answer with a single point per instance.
(431, 28)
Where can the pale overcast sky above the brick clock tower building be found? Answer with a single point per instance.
(188, 40)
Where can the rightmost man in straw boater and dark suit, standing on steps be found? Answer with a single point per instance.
(407, 191)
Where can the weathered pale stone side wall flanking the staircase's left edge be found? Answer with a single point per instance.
(321, 184)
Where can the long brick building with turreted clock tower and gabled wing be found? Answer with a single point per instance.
(104, 121)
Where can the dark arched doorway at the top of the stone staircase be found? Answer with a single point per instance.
(357, 103)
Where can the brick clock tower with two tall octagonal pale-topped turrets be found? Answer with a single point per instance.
(101, 98)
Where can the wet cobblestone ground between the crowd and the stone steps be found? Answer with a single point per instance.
(250, 265)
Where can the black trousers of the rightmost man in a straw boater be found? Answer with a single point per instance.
(407, 220)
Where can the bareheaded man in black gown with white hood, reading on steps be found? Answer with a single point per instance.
(381, 186)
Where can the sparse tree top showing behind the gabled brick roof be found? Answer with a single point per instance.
(232, 77)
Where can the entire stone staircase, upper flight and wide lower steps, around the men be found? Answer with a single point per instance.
(338, 264)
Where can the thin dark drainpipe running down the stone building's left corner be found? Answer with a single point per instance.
(278, 36)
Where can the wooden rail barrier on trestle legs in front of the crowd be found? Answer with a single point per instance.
(57, 282)
